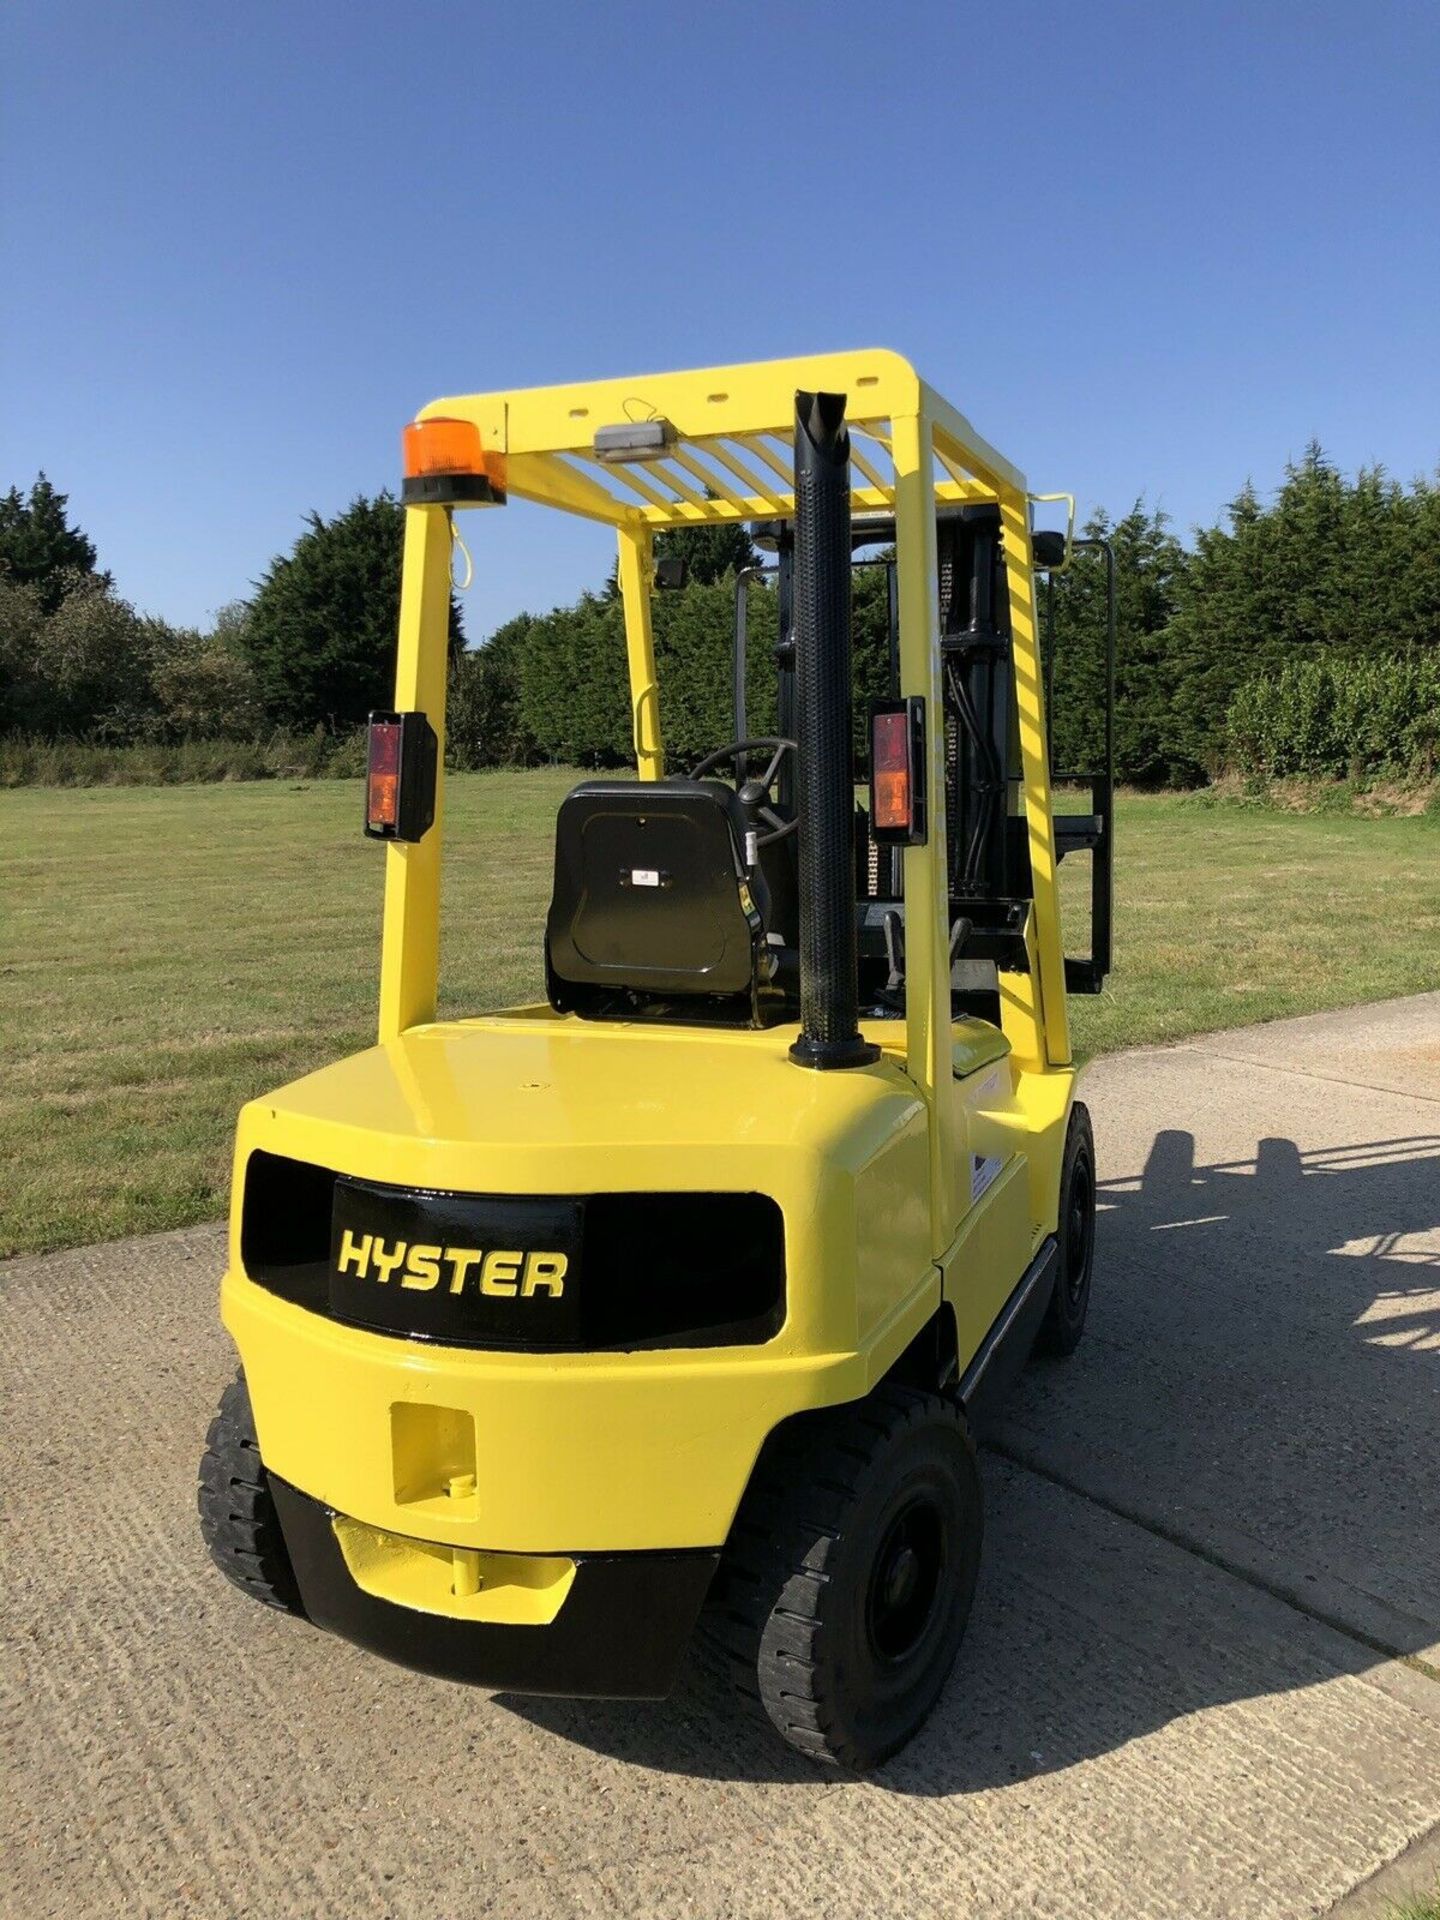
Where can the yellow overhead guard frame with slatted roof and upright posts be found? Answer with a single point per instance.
(732, 462)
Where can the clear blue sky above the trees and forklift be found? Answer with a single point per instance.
(1151, 249)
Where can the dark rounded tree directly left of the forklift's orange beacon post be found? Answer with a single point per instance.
(322, 629)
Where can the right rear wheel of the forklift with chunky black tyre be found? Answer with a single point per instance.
(850, 1573)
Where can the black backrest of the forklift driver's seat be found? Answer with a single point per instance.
(650, 896)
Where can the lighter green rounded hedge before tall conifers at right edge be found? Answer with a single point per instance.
(1339, 717)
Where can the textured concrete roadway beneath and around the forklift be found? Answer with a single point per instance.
(1203, 1677)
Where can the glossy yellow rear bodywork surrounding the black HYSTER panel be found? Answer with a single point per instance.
(585, 1452)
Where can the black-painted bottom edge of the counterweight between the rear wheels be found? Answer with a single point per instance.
(619, 1635)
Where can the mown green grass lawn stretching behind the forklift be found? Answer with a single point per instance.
(166, 953)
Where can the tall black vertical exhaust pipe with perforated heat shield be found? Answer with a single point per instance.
(825, 765)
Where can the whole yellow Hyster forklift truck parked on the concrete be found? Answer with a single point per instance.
(677, 1297)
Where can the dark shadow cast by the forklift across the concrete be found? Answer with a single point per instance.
(1228, 1493)
